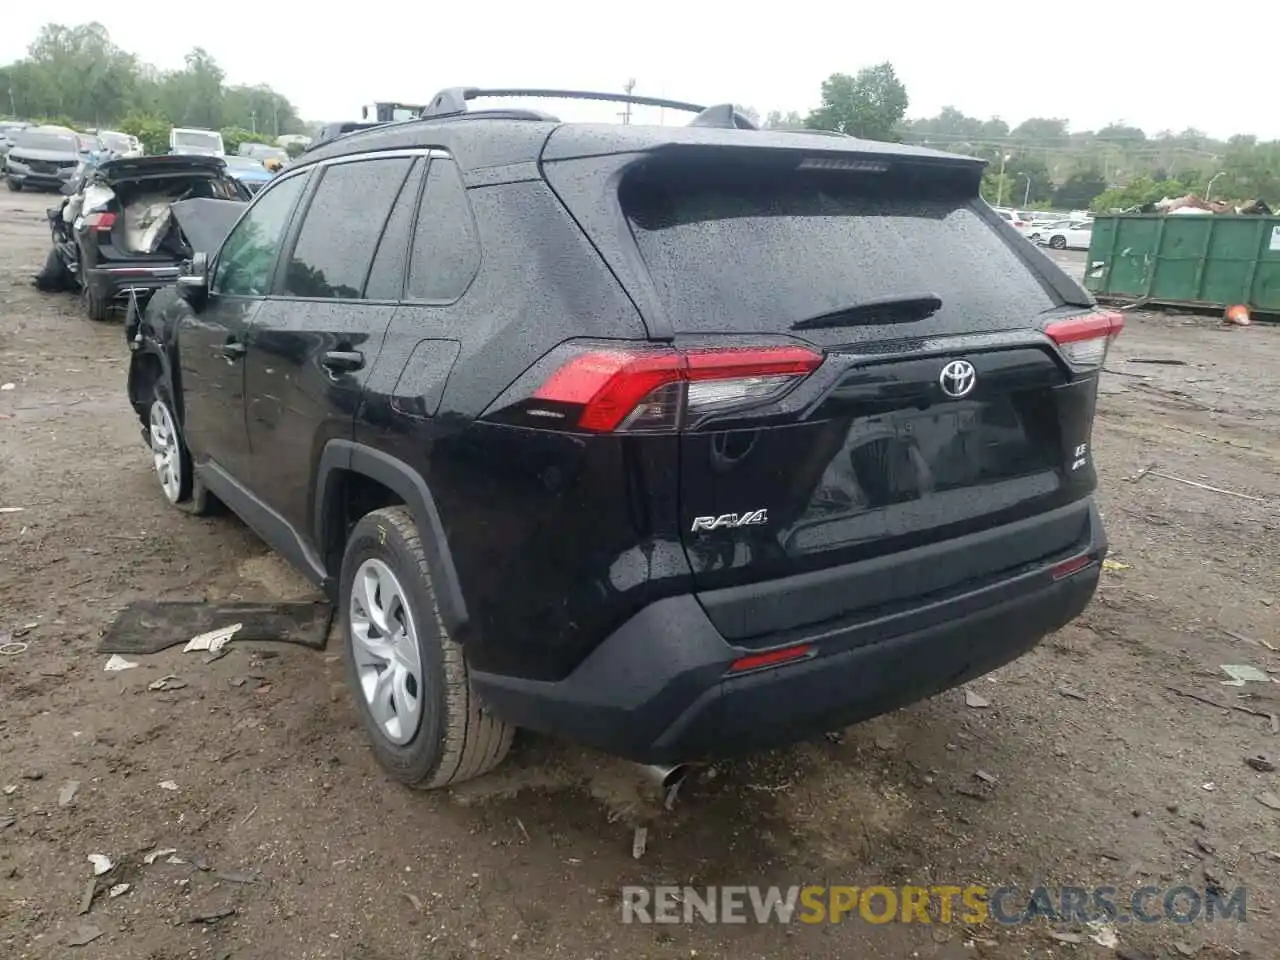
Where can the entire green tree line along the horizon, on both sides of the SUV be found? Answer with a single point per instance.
(79, 76)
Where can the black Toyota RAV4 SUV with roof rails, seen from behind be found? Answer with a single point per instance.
(678, 442)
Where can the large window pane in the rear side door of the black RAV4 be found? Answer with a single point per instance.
(344, 222)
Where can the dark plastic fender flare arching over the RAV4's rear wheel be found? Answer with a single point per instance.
(410, 487)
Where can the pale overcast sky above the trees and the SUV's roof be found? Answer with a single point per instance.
(330, 60)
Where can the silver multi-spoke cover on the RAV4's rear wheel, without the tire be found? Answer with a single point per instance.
(385, 646)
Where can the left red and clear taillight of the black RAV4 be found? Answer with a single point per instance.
(650, 388)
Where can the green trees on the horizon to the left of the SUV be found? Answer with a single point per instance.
(80, 77)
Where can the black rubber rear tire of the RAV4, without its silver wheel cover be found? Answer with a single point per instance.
(456, 738)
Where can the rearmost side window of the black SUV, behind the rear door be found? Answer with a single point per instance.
(446, 249)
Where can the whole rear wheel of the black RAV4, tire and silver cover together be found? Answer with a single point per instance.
(409, 676)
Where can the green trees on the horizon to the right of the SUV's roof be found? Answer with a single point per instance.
(1043, 163)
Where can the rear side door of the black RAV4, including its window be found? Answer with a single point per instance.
(316, 340)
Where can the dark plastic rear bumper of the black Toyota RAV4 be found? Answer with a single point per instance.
(660, 689)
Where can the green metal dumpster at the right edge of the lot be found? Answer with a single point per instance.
(1208, 260)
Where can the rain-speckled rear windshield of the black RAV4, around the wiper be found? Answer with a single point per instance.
(739, 253)
